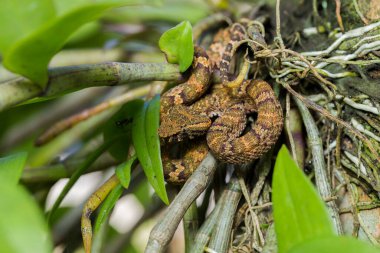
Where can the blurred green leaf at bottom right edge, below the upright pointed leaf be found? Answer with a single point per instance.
(335, 244)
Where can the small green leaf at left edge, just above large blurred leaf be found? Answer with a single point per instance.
(11, 167)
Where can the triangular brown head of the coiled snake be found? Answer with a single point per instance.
(180, 124)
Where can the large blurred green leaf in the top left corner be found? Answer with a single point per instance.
(30, 55)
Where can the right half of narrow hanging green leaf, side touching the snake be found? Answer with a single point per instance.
(152, 122)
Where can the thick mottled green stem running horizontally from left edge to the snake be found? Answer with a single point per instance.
(68, 79)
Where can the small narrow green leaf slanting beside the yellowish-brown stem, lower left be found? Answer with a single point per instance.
(107, 206)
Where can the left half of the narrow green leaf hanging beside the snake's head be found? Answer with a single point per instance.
(143, 154)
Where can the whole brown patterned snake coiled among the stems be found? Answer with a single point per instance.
(188, 111)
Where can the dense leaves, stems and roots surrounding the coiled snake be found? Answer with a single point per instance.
(80, 86)
